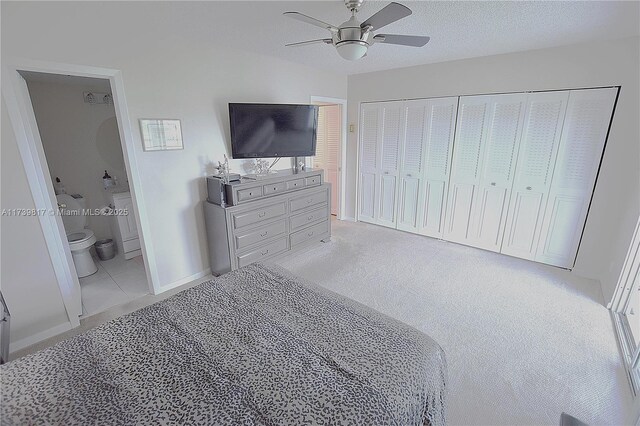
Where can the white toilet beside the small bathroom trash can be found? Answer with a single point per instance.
(80, 238)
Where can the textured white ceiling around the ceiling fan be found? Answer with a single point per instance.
(458, 29)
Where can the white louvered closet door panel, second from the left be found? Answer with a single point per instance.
(392, 117)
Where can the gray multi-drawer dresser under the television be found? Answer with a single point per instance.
(267, 218)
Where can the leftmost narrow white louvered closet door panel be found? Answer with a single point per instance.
(370, 141)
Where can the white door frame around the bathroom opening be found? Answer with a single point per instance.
(16, 95)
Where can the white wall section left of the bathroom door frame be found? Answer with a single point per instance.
(27, 279)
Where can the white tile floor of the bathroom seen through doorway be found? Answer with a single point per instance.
(117, 281)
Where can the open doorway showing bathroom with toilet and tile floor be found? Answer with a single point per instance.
(80, 136)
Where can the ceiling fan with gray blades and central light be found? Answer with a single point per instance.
(352, 38)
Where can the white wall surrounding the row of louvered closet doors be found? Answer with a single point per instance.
(616, 202)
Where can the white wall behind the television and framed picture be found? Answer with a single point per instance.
(164, 77)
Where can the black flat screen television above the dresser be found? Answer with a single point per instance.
(273, 130)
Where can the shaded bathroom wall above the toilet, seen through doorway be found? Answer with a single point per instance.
(80, 141)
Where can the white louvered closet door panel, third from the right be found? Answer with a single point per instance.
(499, 155)
